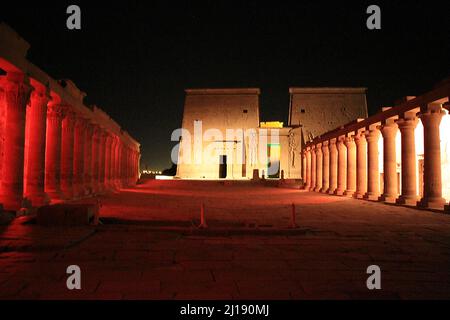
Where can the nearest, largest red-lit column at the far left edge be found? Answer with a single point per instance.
(17, 93)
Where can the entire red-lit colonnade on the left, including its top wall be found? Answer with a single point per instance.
(54, 148)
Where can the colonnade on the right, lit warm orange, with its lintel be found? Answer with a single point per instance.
(345, 162)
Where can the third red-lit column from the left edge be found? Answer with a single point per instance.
(55, 115)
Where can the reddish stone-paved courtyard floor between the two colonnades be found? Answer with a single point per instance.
(149, 247)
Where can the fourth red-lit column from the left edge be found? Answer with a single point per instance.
(67, 144)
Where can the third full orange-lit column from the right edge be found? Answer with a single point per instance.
(389, 132)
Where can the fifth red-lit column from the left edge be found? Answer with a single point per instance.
(79, 157)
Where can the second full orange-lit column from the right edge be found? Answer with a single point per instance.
(407, 125)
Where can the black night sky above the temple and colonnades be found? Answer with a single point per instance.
(135, 58)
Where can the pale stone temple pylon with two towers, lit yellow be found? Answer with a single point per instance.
(223, 137)
